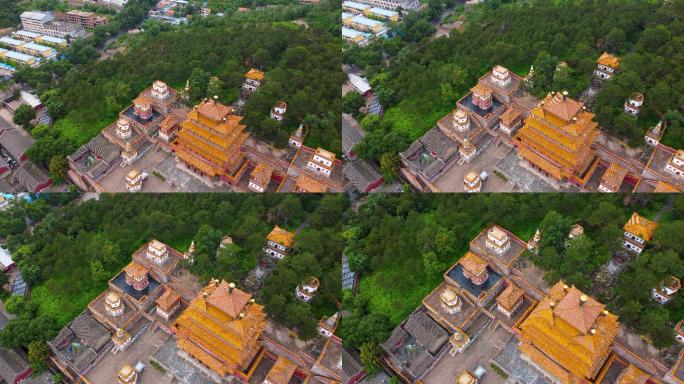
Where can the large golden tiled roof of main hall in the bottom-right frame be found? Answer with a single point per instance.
(568, 332)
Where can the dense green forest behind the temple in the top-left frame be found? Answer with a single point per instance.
(301, 62)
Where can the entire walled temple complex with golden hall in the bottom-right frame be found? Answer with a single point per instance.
(489, 310)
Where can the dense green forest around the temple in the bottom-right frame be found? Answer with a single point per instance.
(402, 244)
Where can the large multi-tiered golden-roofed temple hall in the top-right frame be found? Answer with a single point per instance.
(557, 138)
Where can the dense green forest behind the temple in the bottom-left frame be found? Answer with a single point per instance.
(75, 247)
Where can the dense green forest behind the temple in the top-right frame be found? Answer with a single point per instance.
(425, 76)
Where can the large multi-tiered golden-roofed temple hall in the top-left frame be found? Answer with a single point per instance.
(209, 142)
